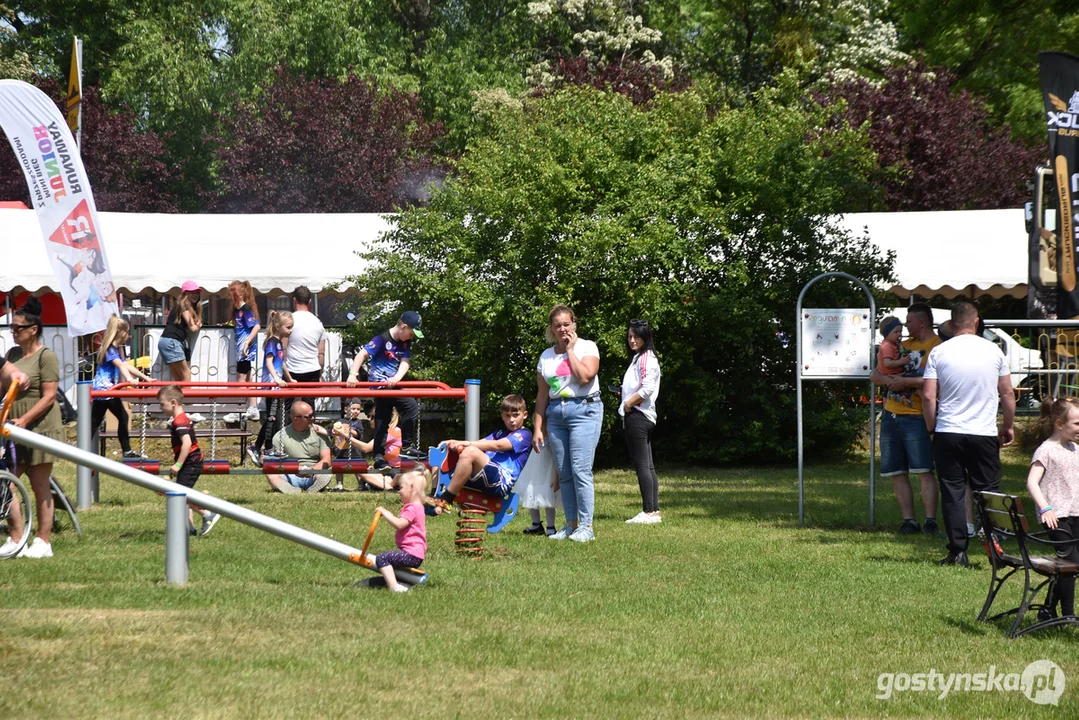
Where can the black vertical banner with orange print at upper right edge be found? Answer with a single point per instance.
(1060, 89)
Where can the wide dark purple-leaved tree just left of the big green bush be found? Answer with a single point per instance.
(324, 146)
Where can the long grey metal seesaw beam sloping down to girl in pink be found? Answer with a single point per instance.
(228, 510)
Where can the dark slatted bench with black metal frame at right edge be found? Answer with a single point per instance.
(1002, 517)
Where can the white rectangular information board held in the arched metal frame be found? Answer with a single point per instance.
(836, 343)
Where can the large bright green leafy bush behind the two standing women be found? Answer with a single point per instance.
(707, 224)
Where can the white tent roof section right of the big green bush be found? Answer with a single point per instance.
(948, 253)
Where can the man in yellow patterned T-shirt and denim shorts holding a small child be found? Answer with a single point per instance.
(906, 447)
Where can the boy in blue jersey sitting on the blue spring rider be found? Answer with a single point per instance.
(493, 465)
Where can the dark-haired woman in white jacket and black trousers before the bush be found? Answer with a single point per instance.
(640, 388)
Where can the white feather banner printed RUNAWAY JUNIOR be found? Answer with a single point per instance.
(61, 195)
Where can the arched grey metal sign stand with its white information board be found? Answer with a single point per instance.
(837, 352)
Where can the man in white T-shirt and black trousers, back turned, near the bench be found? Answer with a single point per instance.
(965, 381)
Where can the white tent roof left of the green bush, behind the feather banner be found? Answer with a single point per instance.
(159, 253)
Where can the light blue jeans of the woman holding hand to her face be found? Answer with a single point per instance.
(573, 431)
